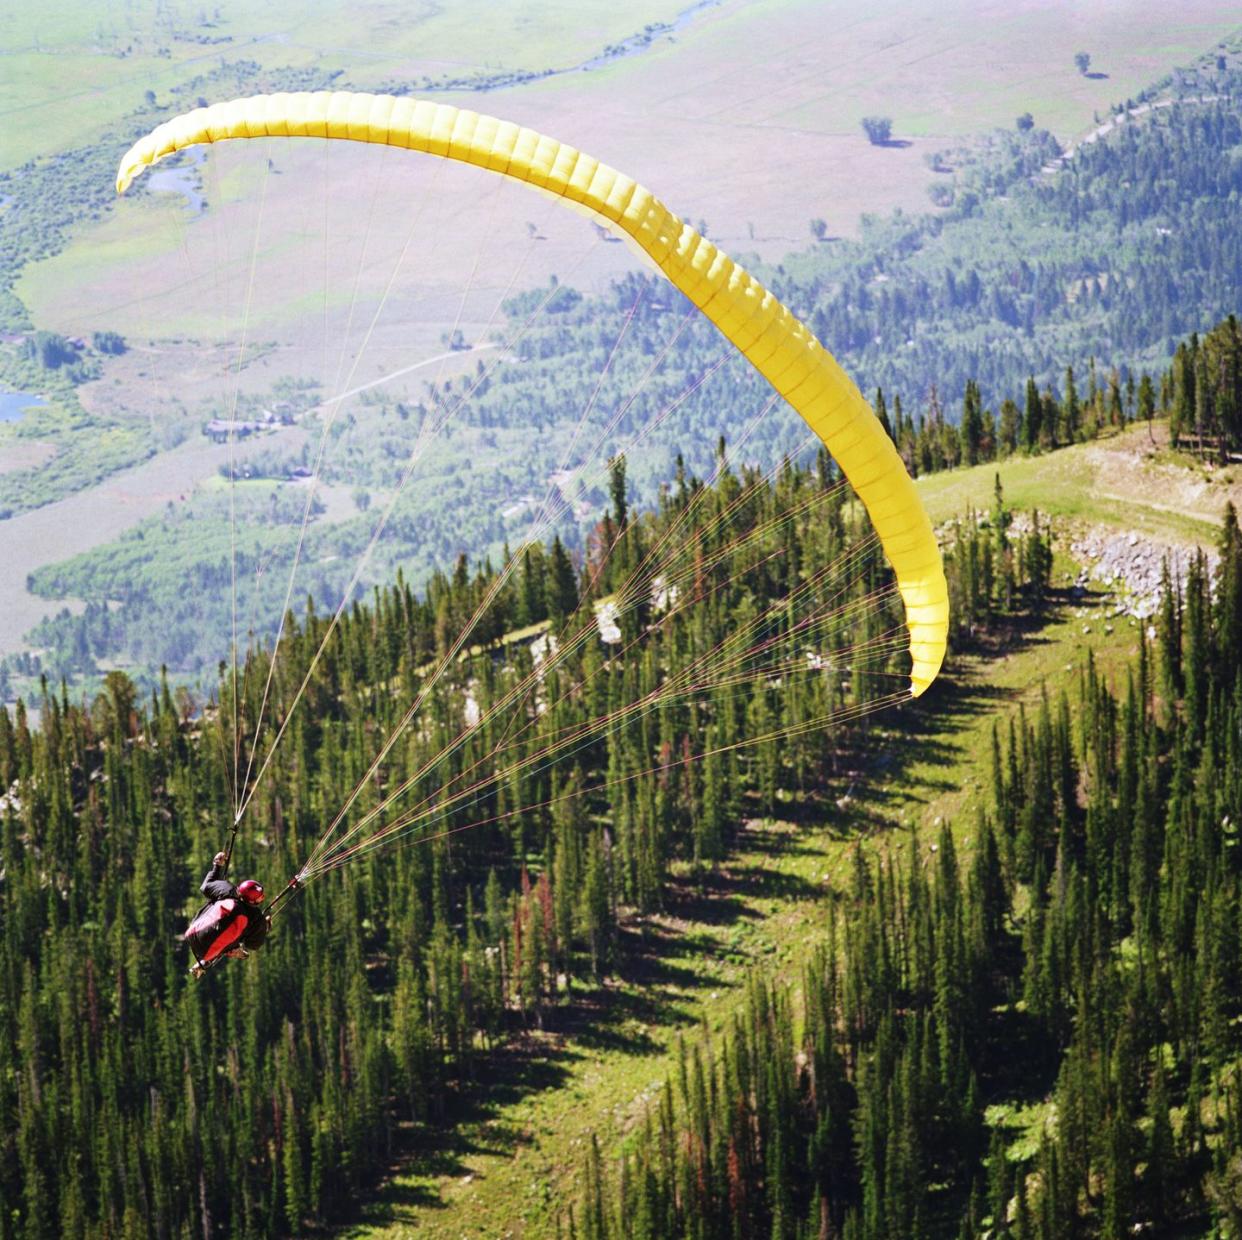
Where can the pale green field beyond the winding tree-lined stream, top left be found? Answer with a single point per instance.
(70, 68)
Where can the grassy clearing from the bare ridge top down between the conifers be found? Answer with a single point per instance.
(519, 1159)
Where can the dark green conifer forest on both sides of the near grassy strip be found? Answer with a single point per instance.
(1080, 941)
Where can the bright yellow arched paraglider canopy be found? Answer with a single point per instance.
(766, 332)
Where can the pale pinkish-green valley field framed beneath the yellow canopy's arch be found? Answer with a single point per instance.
(439, 242)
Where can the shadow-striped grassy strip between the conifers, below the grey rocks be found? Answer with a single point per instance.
(516, 1161)
